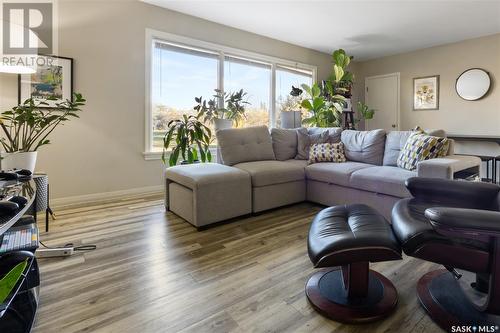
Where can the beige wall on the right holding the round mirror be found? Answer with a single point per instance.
(455, 114)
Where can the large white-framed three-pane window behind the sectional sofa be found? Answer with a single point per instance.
(180, 69)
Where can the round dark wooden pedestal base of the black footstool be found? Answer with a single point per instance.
(351, 294)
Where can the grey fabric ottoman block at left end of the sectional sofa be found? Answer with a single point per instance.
(207, 193)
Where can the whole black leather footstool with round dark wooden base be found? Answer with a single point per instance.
(348, 238)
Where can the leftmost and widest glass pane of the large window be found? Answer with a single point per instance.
(178, 76)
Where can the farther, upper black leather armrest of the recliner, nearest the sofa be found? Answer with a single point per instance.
(453, 192)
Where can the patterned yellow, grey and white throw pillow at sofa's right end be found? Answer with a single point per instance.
(420, 147)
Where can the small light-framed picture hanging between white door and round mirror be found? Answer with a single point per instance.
(426, 93)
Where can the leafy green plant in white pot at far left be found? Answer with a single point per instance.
(27, 127)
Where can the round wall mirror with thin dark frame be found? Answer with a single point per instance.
(473, 84)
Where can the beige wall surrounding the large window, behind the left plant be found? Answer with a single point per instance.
(102, 152)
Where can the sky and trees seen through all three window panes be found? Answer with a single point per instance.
(179, 74)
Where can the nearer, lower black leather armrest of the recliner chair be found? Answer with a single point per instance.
(481, 222)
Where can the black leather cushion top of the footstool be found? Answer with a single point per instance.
(342, 235)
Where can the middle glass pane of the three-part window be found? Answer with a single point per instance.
(255, 79)
